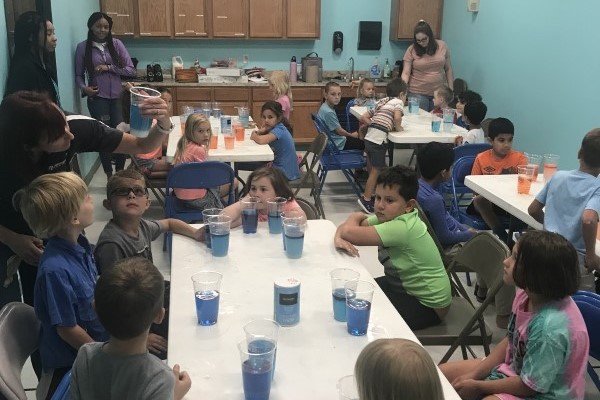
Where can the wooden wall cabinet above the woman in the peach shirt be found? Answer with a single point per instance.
(405, 14)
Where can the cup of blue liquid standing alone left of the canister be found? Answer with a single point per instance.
(207, 288)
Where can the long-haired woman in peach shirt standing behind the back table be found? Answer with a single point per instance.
(426, 66)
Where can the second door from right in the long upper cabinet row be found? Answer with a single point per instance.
(266, 18)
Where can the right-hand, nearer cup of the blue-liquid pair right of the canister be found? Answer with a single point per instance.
(359, 295)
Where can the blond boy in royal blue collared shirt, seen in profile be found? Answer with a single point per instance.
(59, 207)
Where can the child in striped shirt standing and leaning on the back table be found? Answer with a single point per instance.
(384, 118)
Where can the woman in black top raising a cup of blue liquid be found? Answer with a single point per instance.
(36, 138)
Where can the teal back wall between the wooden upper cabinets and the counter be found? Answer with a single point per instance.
(336, 15)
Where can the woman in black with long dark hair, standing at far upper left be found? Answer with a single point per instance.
(32, 65)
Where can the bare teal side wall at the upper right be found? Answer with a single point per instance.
(535, 62)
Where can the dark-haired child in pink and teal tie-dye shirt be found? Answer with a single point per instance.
(545, 351)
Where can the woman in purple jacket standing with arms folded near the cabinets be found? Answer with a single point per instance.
(104, 60)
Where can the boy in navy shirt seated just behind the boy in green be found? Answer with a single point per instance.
(435, 163)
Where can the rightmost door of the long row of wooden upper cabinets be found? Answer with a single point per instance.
(303, 18)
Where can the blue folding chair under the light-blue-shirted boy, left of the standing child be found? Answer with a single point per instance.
(334, 159)
